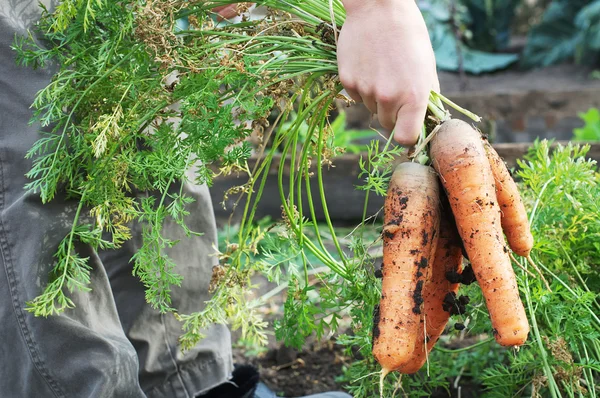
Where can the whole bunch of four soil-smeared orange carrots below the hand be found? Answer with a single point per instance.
(427, 232)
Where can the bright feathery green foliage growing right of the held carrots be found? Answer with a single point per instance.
(561, 189)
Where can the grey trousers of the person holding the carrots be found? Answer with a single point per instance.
(112, 344)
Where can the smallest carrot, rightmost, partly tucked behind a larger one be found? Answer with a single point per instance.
(514, 216)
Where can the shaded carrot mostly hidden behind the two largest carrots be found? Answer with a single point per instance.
(447, 260)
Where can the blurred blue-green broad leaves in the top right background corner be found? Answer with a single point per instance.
(569, 30)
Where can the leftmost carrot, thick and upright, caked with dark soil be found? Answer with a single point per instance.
(411, 223)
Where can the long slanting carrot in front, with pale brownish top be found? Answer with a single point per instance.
(460, 159)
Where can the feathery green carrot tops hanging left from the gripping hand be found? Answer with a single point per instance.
(140, 99)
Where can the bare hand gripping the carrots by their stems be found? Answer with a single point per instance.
(386, 60)
